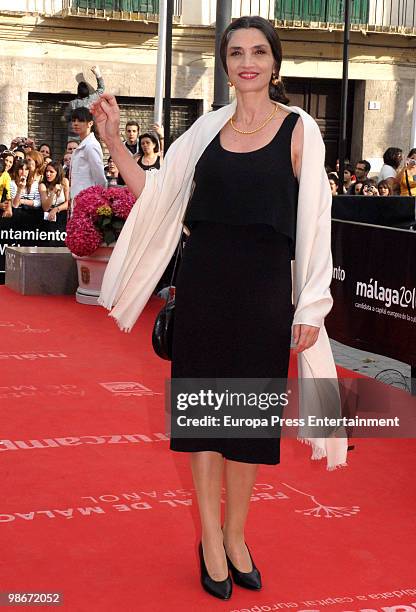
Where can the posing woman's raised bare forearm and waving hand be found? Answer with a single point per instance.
(107, 118)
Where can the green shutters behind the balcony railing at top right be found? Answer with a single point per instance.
(321, 10)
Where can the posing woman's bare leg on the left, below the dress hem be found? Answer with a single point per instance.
(207, 472)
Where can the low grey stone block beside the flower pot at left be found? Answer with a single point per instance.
(41, 270)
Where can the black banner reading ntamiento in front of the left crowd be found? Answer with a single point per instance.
(28, 228)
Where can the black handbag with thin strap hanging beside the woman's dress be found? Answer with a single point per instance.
(162, 335)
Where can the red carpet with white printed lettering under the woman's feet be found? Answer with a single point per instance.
(95, 506)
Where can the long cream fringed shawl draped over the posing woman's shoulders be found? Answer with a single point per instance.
(151, 234)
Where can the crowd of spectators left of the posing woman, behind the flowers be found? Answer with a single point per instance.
(36, 179)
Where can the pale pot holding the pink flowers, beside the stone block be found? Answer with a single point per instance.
(90, 274)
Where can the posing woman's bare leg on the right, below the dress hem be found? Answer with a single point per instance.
(240, 479)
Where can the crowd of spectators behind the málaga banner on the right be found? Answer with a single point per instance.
(397, 176)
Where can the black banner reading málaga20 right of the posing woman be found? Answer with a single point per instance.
(374, 289)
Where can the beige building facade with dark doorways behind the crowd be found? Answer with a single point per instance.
(49, 45)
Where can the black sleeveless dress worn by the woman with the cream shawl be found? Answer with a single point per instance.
(234, 312)
